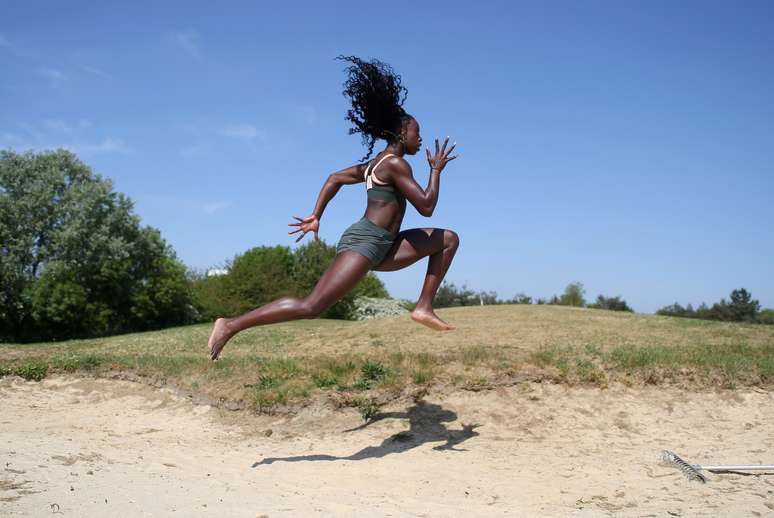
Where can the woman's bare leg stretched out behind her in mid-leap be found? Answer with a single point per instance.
(339, 279)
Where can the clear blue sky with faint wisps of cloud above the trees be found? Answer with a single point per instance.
(626, 145)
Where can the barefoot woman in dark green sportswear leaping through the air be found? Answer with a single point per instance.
(375, 242)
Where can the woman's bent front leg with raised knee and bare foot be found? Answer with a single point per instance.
(439, 245)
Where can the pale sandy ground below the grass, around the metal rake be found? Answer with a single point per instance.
(95, 448)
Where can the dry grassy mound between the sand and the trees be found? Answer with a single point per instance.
(273, 366)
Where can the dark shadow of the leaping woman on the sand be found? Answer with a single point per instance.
(425, 425)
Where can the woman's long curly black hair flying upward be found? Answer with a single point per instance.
(377, 98)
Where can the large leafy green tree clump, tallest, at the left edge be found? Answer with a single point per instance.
(74, 260)
